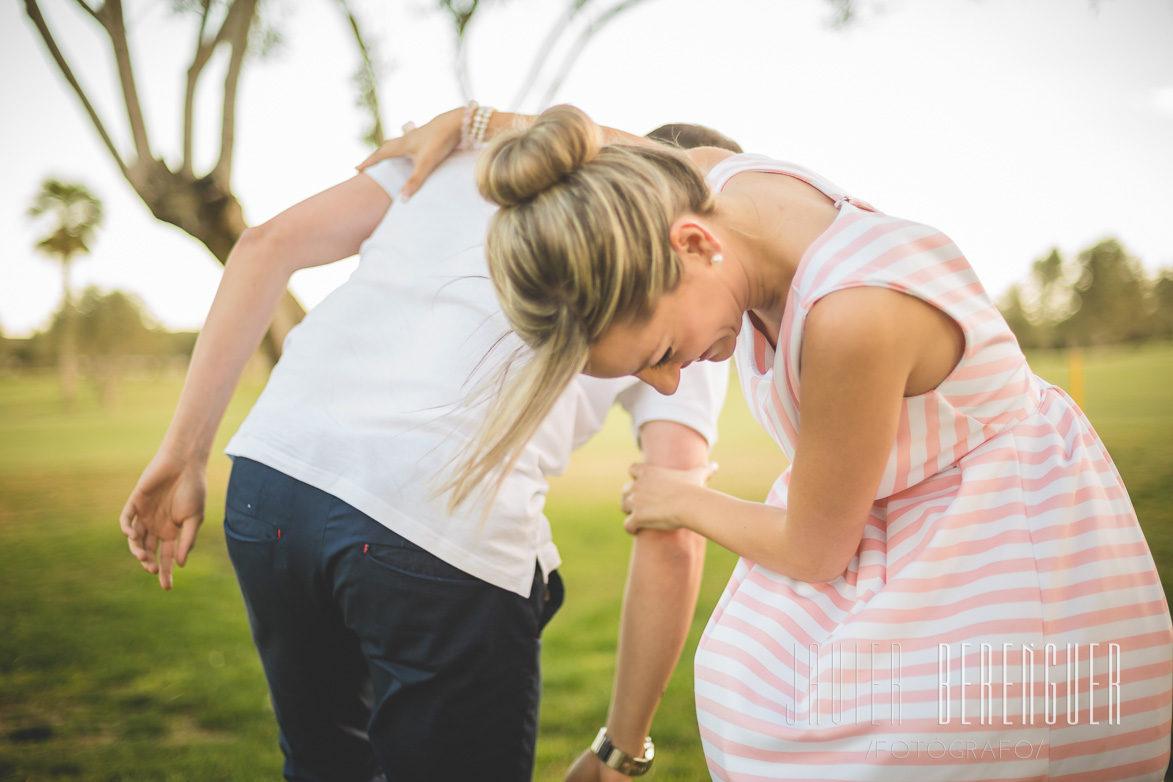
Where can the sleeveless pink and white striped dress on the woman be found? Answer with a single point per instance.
(1002, 618)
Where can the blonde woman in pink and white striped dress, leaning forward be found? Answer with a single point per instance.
(950, 582)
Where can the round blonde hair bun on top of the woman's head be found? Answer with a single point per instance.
(525, 164)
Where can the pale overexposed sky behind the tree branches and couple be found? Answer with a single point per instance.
(1014, 126)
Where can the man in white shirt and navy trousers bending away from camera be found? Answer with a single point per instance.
(397, 636)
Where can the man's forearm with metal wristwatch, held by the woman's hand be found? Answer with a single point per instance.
(659, 604)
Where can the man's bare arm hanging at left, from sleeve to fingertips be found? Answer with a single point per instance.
(164, 513)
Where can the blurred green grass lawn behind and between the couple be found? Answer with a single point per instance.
(105, 677)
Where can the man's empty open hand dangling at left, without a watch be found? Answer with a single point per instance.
(165, 513)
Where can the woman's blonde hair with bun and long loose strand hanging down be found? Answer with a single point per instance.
(581, 243)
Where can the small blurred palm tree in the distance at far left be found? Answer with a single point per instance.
(77, 213)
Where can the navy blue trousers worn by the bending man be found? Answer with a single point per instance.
(382, 658)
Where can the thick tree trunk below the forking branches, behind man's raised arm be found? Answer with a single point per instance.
(212, 214)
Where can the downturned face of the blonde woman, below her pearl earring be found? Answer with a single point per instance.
(697, 322)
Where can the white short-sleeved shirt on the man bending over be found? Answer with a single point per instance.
(369, 402)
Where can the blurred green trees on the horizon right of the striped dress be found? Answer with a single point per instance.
(1102, 297)
